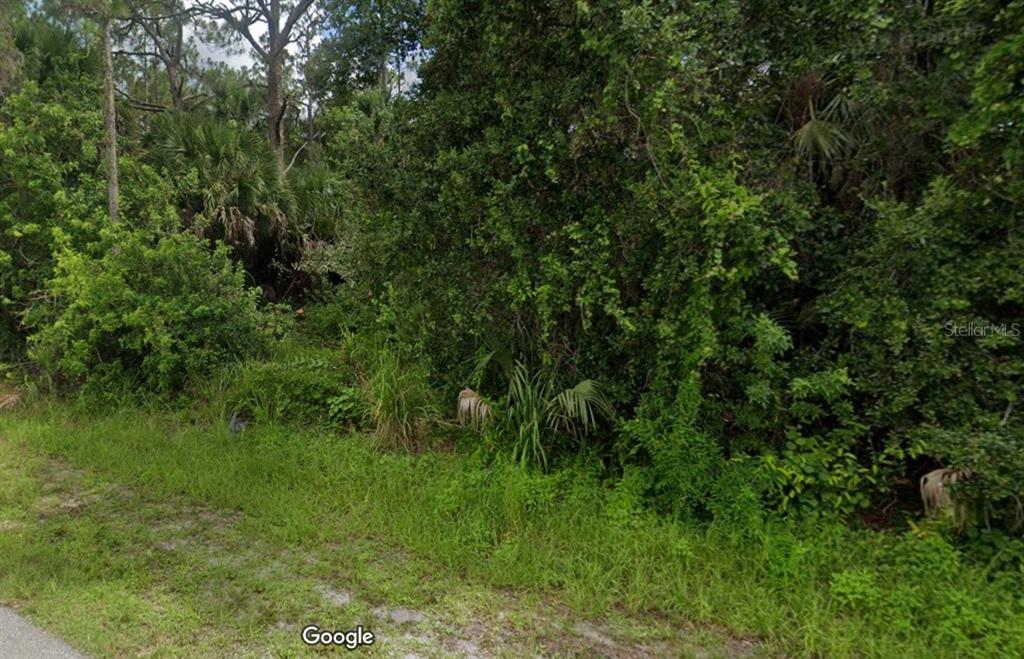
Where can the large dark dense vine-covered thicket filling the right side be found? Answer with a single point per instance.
(756, 232)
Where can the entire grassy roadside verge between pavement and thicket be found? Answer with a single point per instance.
(437, 532)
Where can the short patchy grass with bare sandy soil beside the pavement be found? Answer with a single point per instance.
(120, 570)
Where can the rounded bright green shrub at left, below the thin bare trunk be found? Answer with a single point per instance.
(149, 315)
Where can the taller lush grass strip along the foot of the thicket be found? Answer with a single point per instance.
(823, 591)
